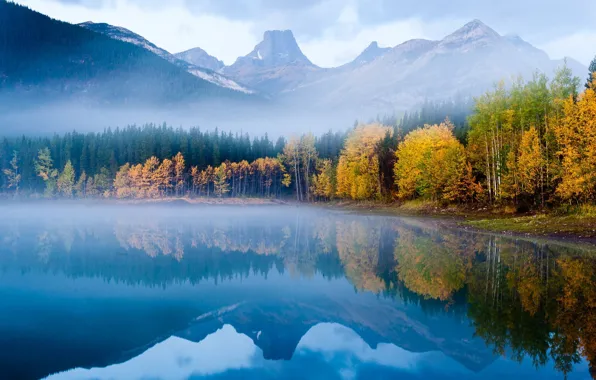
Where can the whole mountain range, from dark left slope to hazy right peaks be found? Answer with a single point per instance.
(44, 58)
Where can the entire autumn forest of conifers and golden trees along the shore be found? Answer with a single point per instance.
(531, 146)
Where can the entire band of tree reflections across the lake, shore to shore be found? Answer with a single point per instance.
(523, 298)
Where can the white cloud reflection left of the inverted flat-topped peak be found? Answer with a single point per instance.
(177, 358)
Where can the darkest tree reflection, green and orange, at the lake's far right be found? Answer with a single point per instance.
(534, 300)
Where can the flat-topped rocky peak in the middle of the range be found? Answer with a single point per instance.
(275, 64)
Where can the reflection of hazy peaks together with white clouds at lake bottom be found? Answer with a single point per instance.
(272, 340)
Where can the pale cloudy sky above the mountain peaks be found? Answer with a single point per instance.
(312, 17)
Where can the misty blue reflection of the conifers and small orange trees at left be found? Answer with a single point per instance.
(141, 251)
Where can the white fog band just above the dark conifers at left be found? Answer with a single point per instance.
(255, 119)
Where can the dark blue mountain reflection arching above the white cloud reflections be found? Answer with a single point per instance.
(90, 332)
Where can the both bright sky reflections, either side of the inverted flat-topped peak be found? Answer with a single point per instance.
(339, 347)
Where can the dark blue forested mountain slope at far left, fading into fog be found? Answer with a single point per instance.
(44, 59)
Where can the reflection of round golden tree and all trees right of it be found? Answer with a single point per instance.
(525, 299)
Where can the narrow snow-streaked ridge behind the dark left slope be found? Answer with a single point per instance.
(202, 72)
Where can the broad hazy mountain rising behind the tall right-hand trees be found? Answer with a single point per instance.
(468, 61)
